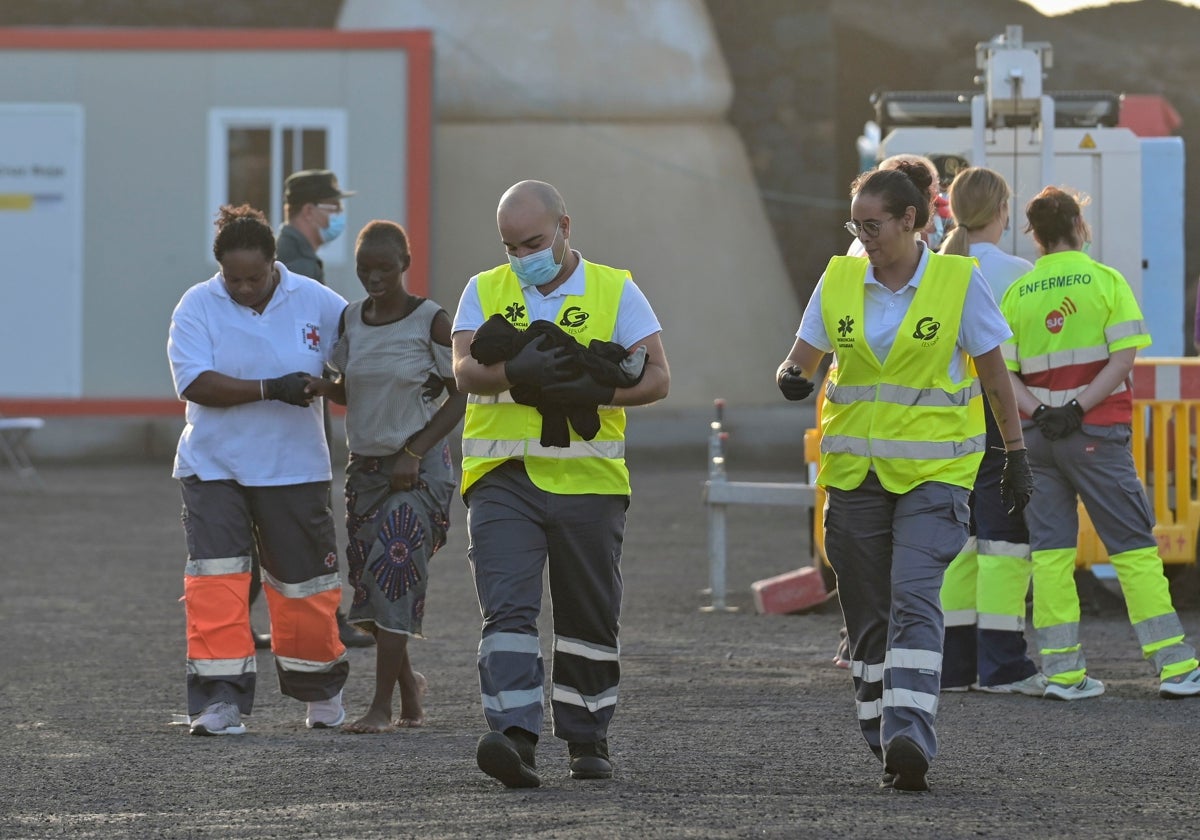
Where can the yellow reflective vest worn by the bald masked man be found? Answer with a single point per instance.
(497, 429)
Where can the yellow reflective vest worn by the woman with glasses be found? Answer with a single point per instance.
(904, 418)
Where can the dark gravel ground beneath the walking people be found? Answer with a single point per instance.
(731, 725)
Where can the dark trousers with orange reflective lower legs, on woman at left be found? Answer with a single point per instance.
(299, 559)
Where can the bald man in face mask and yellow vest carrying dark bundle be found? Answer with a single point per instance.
(559, 508)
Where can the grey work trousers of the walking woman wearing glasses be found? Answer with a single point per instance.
(890, 553)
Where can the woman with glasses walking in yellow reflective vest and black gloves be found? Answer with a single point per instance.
(903, 436)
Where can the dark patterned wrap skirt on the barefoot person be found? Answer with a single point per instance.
(392, 537)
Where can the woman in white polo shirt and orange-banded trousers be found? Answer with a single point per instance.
(244, 347)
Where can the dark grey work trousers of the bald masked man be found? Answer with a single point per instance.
(517, 531)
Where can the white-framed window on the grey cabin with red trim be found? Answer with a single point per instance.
(253, 151)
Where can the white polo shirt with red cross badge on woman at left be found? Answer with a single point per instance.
(266, 443)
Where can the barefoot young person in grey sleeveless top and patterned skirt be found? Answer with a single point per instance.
(393, 353)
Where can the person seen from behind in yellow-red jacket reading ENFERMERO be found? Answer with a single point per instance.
(1077, 329)
